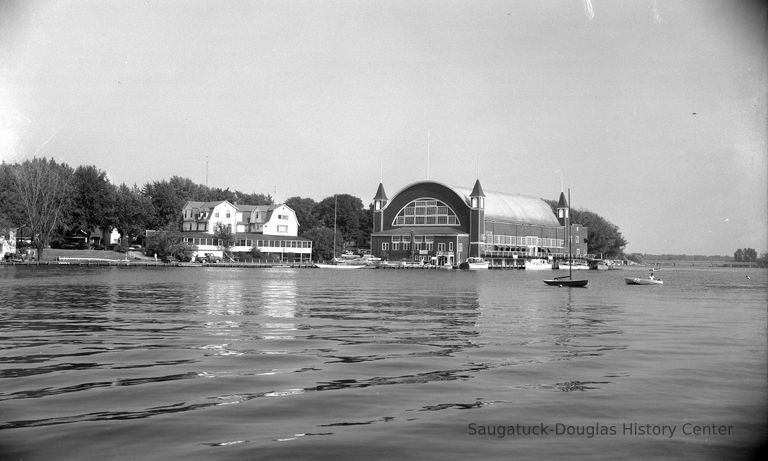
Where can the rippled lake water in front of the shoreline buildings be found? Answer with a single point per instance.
(234, 364)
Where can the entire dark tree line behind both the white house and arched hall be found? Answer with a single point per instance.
(47, 200)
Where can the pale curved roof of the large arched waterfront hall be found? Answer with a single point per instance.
(501, 206)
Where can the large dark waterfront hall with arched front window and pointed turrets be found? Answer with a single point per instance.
(435, 222)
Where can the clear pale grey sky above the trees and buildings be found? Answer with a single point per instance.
(652, 112)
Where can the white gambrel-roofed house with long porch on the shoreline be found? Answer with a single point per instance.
(273, 229)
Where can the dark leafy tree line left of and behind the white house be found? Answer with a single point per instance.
(47, 200)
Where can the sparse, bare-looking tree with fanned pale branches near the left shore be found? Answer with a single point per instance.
(43, 188)
